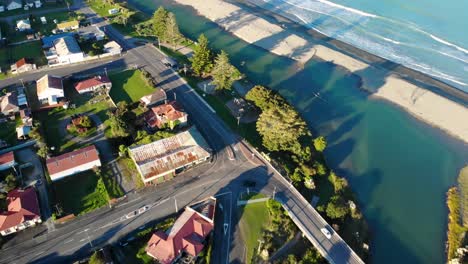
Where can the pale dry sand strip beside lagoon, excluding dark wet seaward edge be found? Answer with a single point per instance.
(422, 103)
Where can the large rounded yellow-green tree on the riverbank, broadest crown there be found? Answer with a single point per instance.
(281, 129)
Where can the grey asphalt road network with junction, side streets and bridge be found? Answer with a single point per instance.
(223, 177)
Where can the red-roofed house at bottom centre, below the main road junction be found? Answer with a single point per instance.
(186, 236)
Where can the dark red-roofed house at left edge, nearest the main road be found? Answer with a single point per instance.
(22, 211)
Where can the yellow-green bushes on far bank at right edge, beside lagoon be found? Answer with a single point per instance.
(457, 227)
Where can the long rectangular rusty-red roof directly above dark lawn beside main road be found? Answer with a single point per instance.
(72, 159)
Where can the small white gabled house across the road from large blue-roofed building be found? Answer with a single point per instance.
(49, 89)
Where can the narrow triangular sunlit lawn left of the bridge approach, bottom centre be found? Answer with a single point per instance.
(253, 218)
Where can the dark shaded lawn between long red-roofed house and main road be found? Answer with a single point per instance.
(80, 193)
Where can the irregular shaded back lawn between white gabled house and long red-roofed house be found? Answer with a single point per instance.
(51, 119)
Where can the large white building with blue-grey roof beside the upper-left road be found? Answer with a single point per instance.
(64, 51)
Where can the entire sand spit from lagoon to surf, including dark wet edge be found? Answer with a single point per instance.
(422, 96)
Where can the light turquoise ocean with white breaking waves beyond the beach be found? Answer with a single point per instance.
(430, 36)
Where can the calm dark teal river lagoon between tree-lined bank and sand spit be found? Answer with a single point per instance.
(399, 167)
